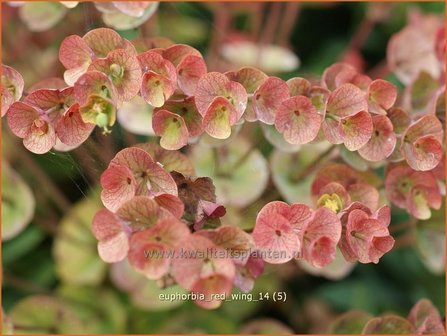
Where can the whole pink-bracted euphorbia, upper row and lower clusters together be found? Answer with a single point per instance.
(171, 223)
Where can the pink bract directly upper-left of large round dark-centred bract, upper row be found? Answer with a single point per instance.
(268, 97)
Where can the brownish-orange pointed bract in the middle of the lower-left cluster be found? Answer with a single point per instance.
(142, 212)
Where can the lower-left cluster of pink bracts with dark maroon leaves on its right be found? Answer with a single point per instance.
(166, 222)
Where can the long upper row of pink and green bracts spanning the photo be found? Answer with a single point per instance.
(345, 107)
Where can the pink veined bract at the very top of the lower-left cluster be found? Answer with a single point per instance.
(150, 177)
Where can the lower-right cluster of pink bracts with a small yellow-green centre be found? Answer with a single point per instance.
(346, 216)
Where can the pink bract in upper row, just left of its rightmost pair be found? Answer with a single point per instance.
(382, 142)
